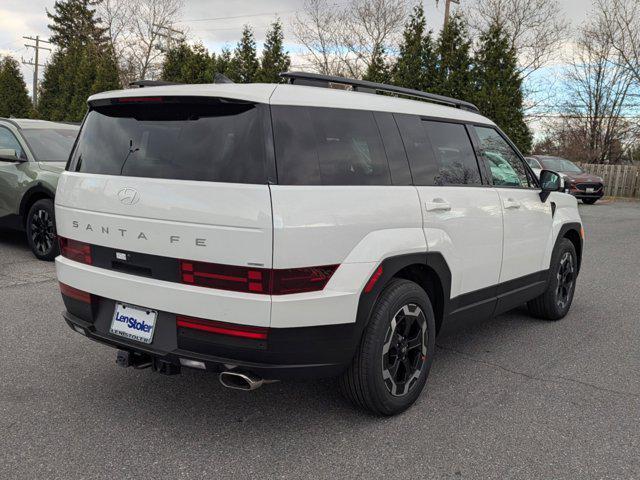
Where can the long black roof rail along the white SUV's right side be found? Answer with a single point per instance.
(318, 80)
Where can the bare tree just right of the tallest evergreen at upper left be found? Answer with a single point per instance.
(133, 27)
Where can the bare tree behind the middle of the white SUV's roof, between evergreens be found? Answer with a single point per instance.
(342, 40)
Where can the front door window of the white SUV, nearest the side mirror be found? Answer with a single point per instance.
(507, 169)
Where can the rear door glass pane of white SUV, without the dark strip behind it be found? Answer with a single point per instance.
(455, 159)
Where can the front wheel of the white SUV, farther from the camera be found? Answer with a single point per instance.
(555, 302)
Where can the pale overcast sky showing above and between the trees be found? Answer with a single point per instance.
(20, 18)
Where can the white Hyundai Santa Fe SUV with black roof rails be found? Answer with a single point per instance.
(266, 232)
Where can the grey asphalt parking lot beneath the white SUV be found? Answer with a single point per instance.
(510, 398)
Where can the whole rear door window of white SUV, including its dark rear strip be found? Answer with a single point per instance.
(440, 153)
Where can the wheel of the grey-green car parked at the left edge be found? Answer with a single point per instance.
(41, 230)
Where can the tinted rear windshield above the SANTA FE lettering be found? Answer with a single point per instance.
(217, 142)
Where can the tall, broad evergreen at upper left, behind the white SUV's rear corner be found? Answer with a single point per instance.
(82, 65)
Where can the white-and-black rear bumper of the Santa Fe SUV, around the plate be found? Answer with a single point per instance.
(310, 335)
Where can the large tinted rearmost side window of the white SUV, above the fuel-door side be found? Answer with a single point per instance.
(325, 146)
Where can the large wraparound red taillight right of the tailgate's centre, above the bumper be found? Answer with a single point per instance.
(256, 280)
